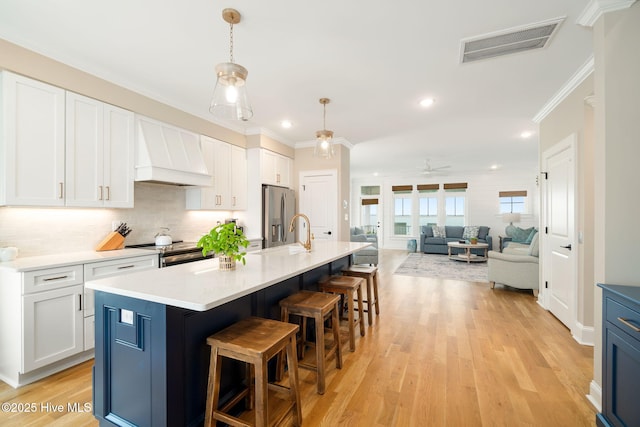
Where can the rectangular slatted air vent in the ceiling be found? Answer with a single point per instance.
(513, 40)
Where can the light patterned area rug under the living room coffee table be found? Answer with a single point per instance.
(440, 266)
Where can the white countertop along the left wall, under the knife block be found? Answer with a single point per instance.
(69, 258)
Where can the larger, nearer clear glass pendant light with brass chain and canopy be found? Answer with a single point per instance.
(230, 100)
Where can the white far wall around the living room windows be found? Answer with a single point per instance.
(482, 202)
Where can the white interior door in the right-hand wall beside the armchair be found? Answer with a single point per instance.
(559, 249)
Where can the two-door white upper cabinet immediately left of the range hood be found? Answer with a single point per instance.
(99, 154)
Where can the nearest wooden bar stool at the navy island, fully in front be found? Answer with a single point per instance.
(254, 341)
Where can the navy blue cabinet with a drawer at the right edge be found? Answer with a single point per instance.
(621, 356)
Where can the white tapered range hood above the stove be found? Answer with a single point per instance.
(169, 155)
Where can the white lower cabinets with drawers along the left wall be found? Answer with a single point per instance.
(47, 316)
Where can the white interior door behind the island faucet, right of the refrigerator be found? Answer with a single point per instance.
(319, 201)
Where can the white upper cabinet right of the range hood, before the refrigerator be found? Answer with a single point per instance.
(228, 188)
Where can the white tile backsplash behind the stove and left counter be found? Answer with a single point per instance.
(42, 231)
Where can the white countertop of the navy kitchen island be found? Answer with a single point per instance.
(201, 286)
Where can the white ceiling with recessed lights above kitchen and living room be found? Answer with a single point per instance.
(375, 59)
